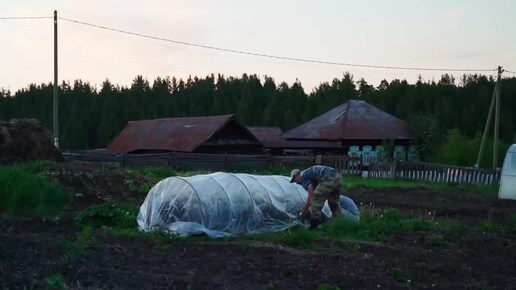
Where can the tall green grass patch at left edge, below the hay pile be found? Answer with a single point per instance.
(22, 191)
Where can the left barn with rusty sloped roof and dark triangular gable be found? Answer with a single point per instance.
(210, 134)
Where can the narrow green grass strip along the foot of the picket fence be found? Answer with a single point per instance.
(354, 181)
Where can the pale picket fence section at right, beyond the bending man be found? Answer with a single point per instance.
(435, 173)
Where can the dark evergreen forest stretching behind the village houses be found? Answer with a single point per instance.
(90, 117)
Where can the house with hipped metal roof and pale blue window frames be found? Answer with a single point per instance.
(352, 128)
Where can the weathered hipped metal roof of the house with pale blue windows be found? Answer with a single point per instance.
(352, 120)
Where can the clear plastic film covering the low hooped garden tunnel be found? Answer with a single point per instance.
(226, 204)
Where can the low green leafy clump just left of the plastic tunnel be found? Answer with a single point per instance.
(109, 214)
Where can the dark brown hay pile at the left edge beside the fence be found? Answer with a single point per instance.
(26, 139)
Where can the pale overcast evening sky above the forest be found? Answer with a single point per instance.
(439, 33)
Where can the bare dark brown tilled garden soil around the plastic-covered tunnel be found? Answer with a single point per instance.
(30, 250)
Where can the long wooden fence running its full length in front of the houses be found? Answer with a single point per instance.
(347, 165)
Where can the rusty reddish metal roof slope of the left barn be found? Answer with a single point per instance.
(171, 134)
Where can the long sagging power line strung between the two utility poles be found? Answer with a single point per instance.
(273, 56)
